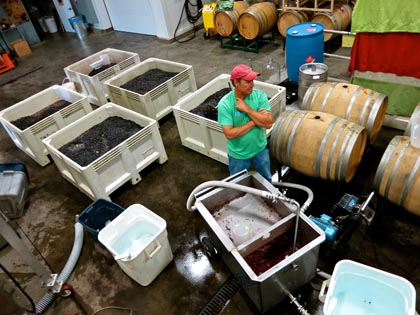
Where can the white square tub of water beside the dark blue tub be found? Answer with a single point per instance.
(138, 240)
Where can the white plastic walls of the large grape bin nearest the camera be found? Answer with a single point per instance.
(120, 164)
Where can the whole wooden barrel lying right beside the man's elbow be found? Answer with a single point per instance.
(318, 144)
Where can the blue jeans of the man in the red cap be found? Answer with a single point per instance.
(261, 163)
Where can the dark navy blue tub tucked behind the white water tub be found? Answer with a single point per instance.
(98, 214)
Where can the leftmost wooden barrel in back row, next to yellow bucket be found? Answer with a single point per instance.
(226, 21)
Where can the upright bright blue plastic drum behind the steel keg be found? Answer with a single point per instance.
(303, 41)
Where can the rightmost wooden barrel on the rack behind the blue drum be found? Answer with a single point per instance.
(337, 20)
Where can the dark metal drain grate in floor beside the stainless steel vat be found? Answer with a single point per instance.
(220, 298)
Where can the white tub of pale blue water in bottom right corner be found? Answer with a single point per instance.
(363, 290)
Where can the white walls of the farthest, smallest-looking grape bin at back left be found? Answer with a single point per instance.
(93, 86)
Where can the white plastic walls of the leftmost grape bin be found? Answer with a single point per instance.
(30, 139)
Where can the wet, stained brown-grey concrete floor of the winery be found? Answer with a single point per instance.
(391, 243)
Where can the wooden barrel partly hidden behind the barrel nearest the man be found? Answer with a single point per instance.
(353, 102)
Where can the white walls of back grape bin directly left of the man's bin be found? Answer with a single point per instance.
(159, 101)
